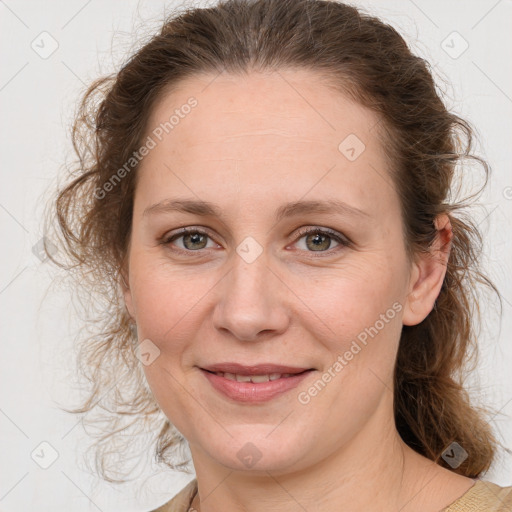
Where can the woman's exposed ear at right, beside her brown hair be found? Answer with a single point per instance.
(428, 274)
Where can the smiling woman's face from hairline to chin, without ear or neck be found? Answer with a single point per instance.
(272, 155)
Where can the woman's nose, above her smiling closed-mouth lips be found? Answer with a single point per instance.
(251, 302)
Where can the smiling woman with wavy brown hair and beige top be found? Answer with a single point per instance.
(264, 200)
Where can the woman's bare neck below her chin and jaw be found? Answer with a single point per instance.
(375, 471)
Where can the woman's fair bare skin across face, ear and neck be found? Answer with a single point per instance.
(252, 144)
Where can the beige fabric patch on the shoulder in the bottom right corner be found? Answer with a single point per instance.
(482, 497)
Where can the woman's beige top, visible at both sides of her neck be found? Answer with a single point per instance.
(483, 496)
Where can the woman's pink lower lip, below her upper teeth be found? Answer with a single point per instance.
(254, 392)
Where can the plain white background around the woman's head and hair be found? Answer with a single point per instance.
(37, 101)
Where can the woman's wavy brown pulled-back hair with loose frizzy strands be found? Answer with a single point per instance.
(425, 145)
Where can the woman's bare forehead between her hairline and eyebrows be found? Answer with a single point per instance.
(273, 128)
